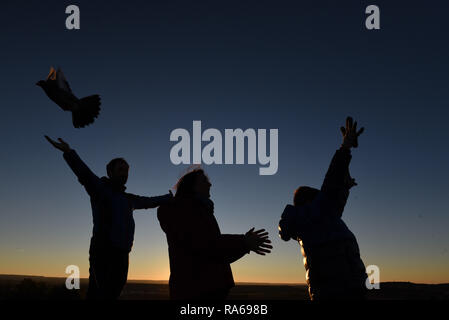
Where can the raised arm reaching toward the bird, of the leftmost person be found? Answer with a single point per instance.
(86, 177)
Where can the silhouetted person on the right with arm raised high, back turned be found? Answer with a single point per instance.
(334, 269)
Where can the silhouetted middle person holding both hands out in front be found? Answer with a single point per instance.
(200, 256)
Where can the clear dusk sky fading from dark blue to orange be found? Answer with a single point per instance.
(298, 66)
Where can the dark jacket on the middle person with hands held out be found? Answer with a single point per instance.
(200, 256)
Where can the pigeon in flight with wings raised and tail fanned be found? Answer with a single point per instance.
(84, 111)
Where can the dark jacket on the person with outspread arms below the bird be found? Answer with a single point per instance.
(112, 207)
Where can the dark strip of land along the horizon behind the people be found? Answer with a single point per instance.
(43, 288)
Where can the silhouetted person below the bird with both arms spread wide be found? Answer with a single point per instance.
(113, 230)
